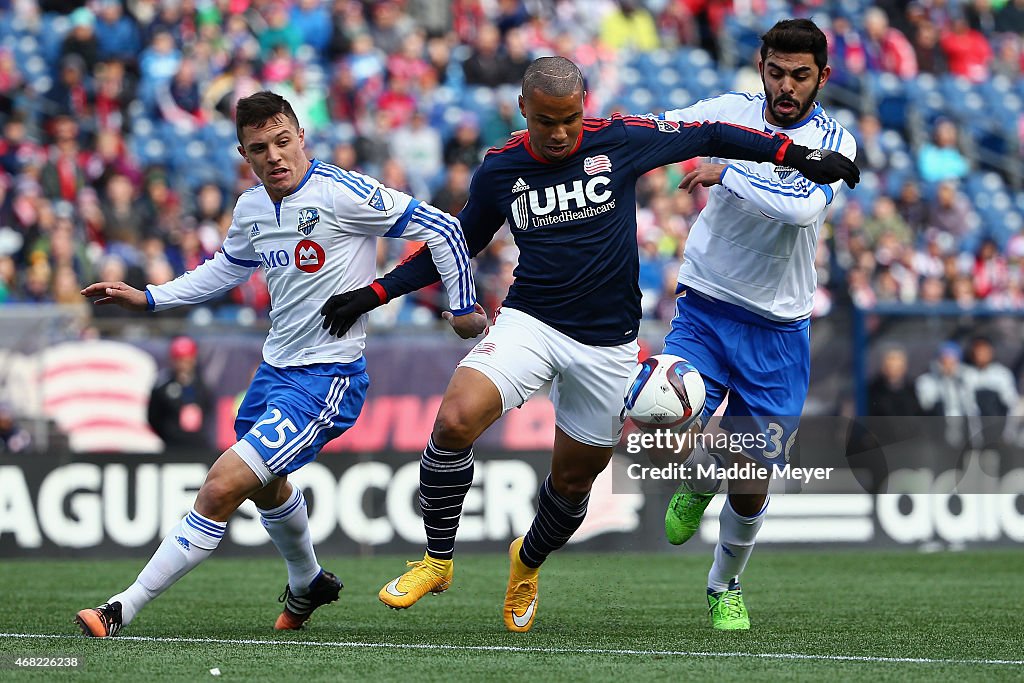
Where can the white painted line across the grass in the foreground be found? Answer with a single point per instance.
(539, 651)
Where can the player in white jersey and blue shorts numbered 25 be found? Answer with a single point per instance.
(314, 229)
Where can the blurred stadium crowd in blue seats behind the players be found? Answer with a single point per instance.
(118, 158)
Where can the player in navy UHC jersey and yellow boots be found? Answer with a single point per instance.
(567, 188)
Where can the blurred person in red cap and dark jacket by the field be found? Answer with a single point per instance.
(181, 405)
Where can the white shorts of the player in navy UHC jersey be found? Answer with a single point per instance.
(521, 354)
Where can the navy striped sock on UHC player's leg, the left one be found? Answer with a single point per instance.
(445, 480)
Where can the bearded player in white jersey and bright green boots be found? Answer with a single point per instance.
(746, 292)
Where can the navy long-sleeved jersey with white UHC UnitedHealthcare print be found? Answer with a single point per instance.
(575, 221)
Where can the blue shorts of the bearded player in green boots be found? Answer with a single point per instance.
(764, 366)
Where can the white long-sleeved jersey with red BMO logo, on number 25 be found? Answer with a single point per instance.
(318, 242)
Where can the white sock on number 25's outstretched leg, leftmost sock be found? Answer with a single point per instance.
(190, 543)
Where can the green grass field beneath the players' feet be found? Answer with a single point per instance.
(844, 616)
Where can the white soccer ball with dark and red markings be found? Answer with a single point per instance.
(665, 392)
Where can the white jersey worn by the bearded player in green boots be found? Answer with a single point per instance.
(755, 242)
